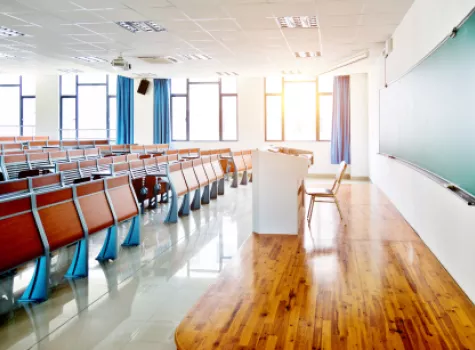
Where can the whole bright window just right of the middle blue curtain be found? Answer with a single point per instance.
(204, 110)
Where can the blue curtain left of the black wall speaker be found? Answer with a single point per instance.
(125, 110)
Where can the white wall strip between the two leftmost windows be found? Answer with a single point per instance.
(47, 106)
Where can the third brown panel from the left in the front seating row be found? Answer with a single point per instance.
(94, 205)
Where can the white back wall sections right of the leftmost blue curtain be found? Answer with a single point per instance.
(251, 125)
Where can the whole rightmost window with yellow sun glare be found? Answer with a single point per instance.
(299, 108)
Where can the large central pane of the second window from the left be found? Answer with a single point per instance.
(92, 112)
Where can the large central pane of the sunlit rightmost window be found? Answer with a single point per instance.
(300, 111)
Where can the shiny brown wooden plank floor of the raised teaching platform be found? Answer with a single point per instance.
(371, 284)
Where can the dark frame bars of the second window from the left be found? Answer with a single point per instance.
(76, 97)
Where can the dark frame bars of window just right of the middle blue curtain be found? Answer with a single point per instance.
(187, 119)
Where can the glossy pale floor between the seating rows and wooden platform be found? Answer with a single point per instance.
(137, 301)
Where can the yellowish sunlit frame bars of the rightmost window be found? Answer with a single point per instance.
(282, 101)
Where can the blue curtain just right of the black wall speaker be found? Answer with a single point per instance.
(161, 111)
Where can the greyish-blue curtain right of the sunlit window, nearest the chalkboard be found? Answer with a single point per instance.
(341, 140)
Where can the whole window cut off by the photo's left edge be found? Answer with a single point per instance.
(17, 98)
